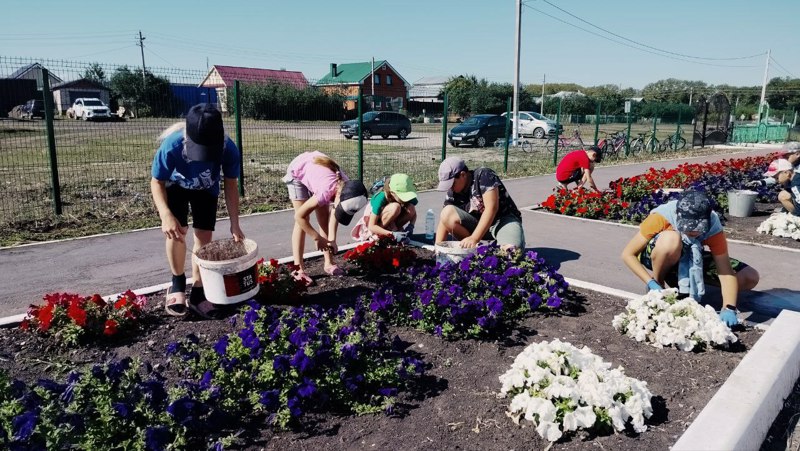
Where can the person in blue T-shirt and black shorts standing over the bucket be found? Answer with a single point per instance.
(186, 172)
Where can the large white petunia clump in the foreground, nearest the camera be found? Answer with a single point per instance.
(561, 388)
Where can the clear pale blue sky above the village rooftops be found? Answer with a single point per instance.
(568, 41)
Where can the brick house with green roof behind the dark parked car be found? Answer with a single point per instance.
(382, 87)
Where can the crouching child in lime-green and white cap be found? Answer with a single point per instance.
(391, 211)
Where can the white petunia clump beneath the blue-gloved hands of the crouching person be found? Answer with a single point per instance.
(660, 319)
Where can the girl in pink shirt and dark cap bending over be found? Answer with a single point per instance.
(317, 184)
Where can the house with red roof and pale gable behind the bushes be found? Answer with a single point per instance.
(222, 77)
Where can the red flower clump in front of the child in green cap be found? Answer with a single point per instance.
(383, 256)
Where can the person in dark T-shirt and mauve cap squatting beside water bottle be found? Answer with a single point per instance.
(477, 205)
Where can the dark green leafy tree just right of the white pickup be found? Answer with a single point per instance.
(148, 96)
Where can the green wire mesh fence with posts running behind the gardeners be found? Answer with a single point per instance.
(64, 171)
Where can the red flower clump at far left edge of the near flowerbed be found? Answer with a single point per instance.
(71, 317)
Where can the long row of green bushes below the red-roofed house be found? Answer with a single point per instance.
(282, 101)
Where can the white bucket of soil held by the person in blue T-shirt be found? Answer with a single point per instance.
(229, 280)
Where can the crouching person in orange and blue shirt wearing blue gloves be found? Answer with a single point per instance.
(670, 243)
